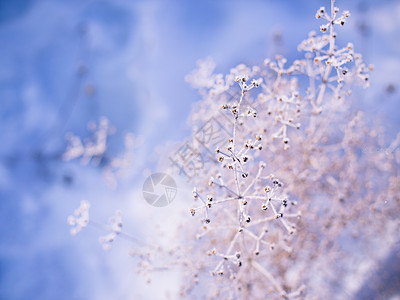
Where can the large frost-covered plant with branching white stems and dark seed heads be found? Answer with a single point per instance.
(286, 199)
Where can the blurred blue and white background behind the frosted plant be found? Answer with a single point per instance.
(64, 64)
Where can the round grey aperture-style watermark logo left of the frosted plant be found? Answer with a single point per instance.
(159, 189)
